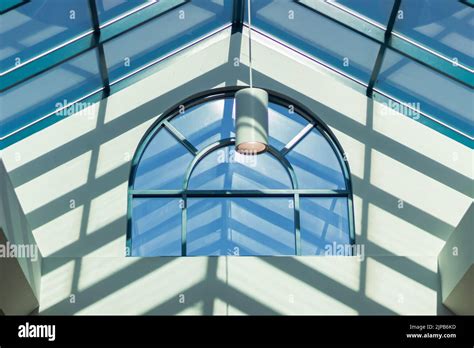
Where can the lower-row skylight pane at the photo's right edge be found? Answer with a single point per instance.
(447, 100)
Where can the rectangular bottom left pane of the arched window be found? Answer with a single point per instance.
(156, 229)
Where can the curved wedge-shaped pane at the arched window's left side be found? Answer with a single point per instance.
(163, 164)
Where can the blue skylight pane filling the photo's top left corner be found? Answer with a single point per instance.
(39, 26)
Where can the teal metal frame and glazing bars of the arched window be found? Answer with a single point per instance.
(295, 192)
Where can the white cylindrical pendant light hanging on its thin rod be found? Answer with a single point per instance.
(251, 112)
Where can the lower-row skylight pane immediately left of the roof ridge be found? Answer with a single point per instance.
(169, 31)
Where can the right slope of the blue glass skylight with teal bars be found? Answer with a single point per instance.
(426, 64)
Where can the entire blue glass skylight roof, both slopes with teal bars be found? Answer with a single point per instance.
(427, 60)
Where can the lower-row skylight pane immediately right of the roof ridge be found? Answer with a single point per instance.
(321, 37)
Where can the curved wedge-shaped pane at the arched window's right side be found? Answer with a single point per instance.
(316, 164)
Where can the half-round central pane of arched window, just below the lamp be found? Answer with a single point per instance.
(226, 169)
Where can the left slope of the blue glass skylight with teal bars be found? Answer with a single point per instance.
(41, 37)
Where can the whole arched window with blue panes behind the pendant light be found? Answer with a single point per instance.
(191, 194)
